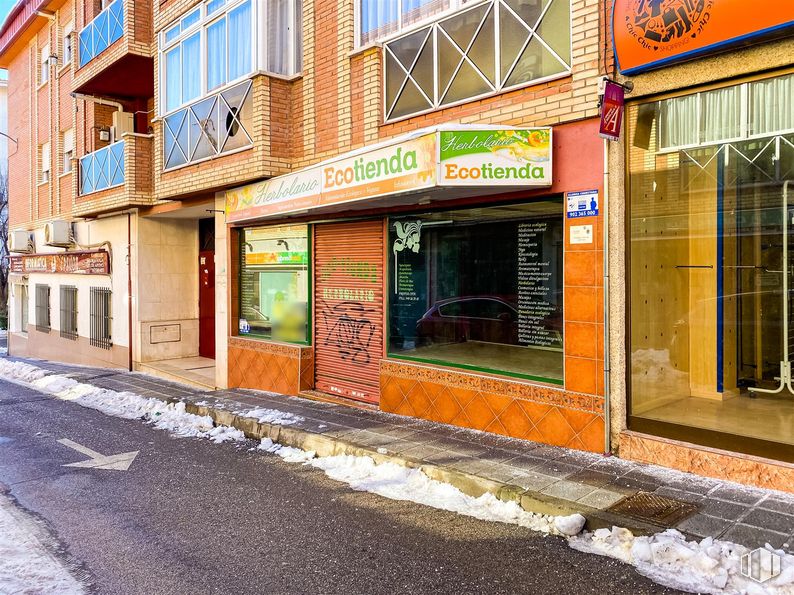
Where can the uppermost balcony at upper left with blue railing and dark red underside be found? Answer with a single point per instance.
(115, 52)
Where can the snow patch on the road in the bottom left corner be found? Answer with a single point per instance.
(26, 566)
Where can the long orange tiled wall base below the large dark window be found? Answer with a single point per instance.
(491, 404)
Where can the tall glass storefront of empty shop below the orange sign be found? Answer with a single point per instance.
(711, 209)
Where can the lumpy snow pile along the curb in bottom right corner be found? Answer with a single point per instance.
(708, 566)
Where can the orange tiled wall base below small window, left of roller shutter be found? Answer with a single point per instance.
(275, 367)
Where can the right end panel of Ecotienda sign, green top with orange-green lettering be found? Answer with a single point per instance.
(495, 157)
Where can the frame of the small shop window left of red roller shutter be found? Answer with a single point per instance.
(240, 231)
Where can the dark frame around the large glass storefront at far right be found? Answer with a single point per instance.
(690, 434)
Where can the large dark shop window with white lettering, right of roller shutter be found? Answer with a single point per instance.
(480, 289)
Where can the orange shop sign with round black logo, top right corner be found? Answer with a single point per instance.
(652, 33)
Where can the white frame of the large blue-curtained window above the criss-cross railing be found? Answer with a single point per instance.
(201, 26)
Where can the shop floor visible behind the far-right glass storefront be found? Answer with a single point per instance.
(764, 416)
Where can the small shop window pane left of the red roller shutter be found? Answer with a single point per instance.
(274, 283)
